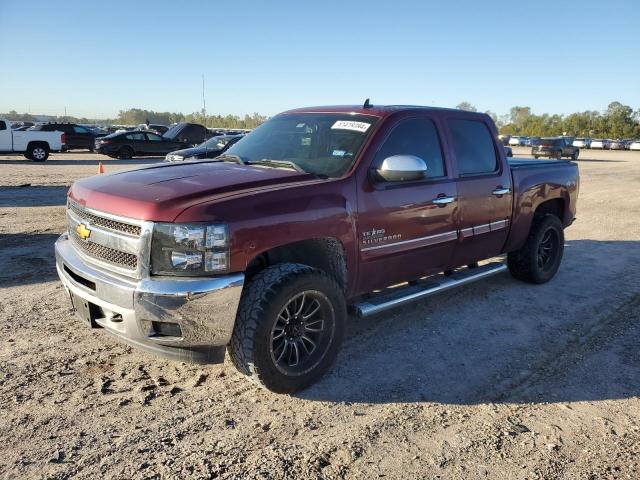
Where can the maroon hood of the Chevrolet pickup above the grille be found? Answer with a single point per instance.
(162, 192)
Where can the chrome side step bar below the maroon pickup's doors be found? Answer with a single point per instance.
(394, 297)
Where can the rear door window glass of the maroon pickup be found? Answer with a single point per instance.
(473, 146)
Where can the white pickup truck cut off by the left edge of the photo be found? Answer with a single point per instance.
(35, 145)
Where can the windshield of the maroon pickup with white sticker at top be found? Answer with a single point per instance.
(324, 144)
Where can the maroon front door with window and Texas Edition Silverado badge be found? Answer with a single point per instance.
(402, 233)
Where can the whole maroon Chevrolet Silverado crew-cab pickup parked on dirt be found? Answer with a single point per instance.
(317, 213)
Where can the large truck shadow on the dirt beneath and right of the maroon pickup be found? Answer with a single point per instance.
(572, 339)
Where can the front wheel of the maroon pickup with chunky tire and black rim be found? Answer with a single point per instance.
(265, 305)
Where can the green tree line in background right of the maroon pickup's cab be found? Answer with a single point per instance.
(617, 121)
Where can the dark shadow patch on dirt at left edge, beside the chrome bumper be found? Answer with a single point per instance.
(27, 258)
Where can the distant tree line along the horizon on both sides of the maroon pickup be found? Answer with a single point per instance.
(617, 121)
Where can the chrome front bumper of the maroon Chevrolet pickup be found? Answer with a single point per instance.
(135, 310)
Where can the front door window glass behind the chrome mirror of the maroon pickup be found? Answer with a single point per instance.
(418, 137)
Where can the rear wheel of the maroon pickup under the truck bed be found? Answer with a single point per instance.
(539, 258)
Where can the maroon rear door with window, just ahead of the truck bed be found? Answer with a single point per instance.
(484, 189)
